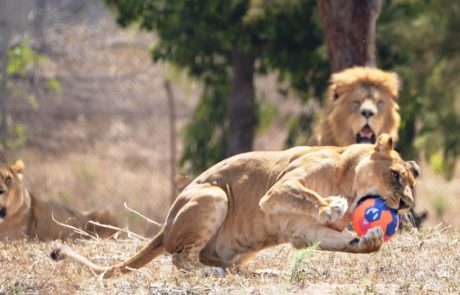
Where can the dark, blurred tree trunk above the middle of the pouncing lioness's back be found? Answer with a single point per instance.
(242, 106)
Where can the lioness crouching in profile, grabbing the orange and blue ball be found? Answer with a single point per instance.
(257, 200)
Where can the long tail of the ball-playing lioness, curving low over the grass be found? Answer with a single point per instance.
(149, 252)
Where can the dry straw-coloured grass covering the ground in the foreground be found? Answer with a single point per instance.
(417, 263)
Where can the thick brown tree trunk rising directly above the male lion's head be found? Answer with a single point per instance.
(349, 27)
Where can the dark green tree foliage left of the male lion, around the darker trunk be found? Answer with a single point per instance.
(200, 36)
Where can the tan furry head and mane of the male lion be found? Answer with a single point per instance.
(350, 93)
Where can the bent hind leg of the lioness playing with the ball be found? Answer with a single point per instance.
(195, 224)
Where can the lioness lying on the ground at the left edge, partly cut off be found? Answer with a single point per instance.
(22, 215)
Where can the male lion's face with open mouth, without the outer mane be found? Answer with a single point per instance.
(366, 109)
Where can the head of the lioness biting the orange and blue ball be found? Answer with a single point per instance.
(385, 174)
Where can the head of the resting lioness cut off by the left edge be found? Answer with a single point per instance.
(10, 189)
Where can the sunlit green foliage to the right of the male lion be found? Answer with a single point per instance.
(419, 40)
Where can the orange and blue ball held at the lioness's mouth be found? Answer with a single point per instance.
(372, 212)
